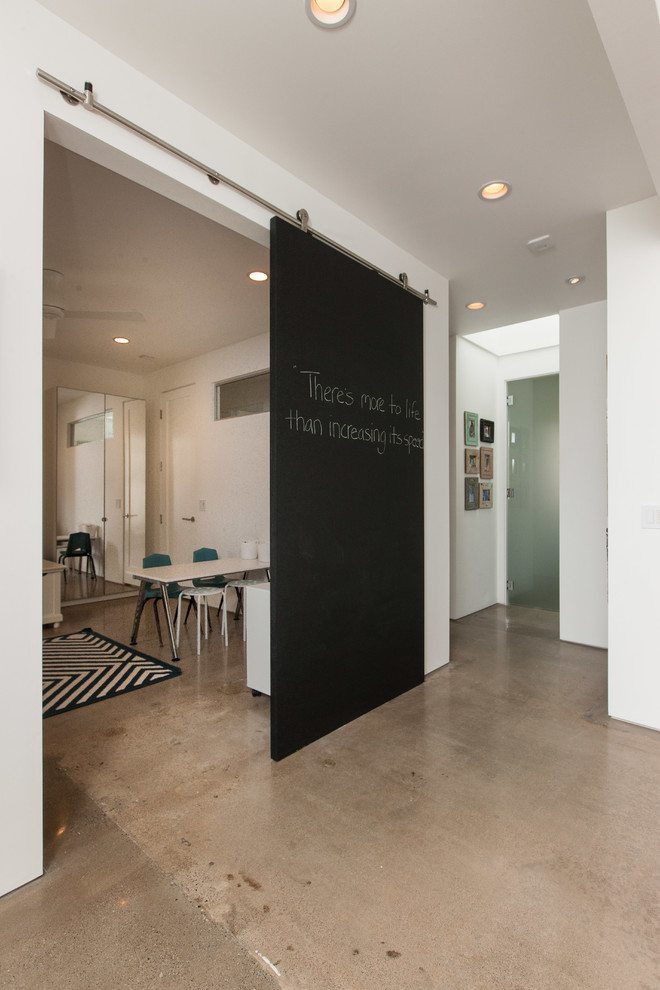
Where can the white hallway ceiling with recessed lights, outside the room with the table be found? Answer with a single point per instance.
(404, 113)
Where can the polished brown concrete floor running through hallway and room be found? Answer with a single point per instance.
(489, 829)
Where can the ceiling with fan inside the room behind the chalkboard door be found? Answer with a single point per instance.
(139, 265)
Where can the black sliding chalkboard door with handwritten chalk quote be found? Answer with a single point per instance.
(347, 537)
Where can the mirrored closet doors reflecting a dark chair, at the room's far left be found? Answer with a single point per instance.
(100, 483)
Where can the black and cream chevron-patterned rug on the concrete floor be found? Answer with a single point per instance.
(84, 667)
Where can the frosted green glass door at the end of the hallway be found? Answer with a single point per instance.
(533, 493)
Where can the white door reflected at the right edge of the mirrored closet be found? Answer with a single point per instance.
(135, 477)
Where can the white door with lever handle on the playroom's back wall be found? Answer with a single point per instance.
(179, 472)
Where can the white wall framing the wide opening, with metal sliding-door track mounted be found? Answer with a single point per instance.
(32, 37)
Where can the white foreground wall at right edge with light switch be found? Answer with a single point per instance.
(633, 263)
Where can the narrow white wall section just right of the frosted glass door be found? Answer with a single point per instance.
(583, 474)
